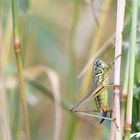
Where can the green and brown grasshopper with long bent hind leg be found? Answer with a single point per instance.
(99, 91)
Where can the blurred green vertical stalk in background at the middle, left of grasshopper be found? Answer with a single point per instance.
(73, 121)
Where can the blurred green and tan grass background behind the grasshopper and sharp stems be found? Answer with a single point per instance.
(58, 37)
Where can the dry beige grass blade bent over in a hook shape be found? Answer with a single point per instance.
(33, 73)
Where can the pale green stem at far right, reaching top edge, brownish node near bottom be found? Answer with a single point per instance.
(131, 69)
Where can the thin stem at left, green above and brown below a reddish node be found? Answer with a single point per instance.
(17, 49)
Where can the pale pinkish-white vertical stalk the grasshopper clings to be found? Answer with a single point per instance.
(117, 68)
